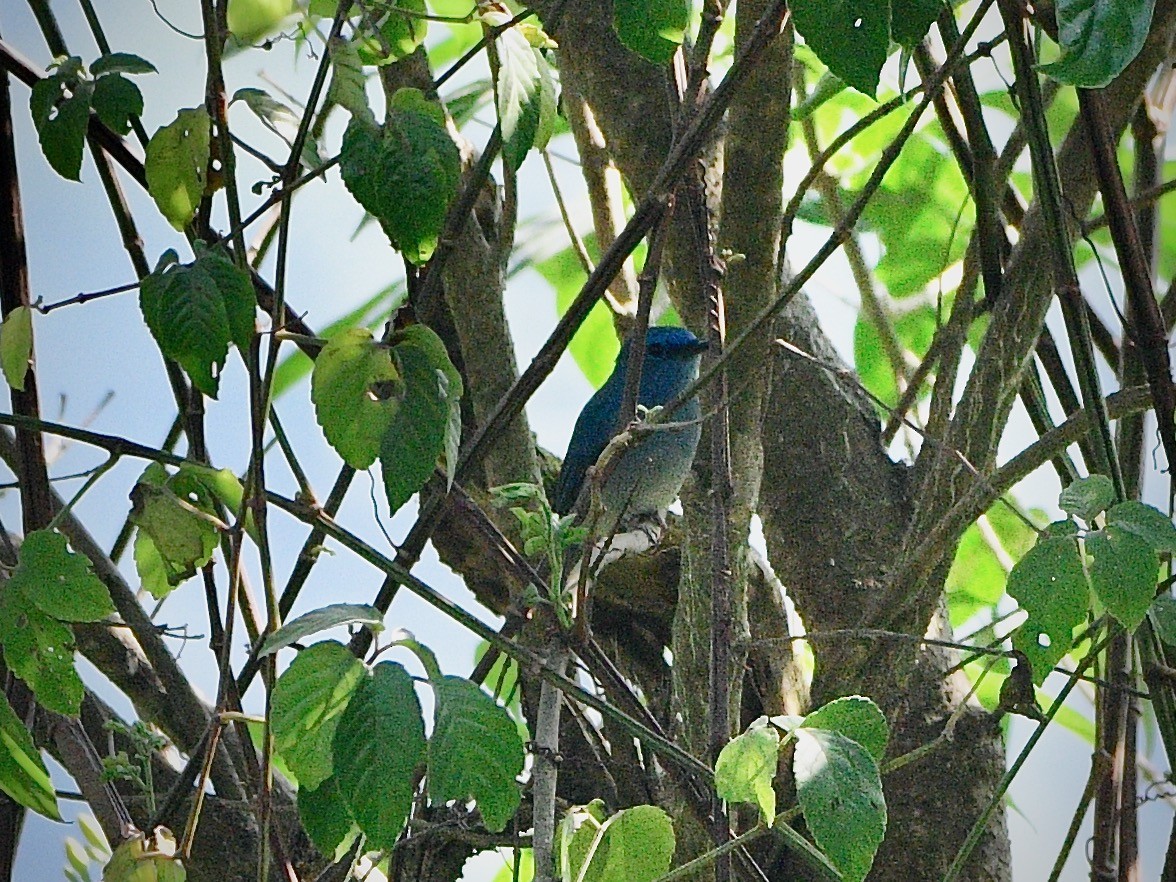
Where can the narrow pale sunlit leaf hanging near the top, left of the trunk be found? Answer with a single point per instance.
(519, 89)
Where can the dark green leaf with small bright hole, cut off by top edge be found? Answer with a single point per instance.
(851, 37)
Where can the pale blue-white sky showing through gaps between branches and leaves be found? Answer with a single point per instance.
(98, 366)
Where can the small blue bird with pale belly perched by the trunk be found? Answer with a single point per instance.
(649, 477)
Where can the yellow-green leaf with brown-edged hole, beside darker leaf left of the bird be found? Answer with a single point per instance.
(357, 392)
